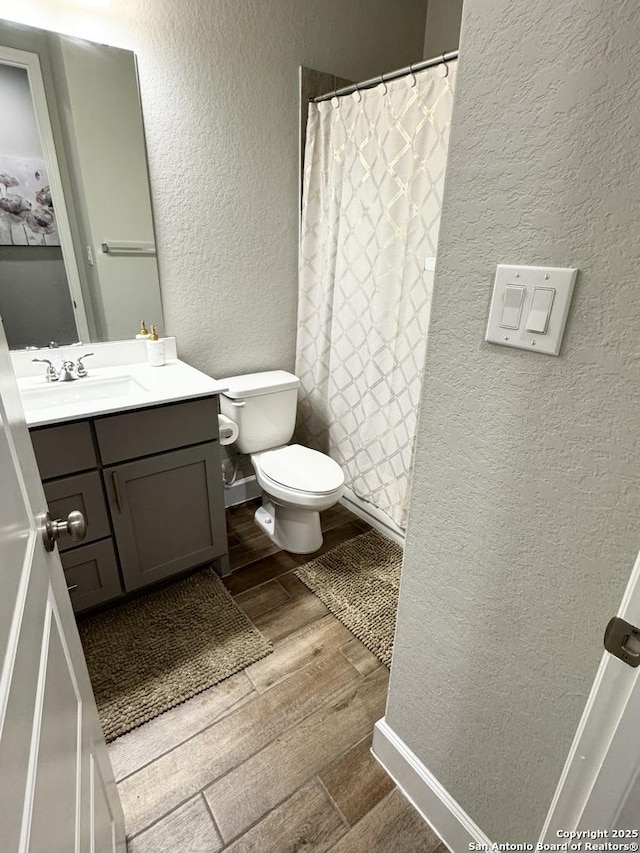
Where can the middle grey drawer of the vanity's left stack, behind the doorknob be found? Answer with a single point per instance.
(83, 492)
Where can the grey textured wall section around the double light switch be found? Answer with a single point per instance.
(523, 528)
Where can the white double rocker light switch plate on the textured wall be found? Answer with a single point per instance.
(530, 306)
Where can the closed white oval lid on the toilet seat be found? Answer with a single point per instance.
(303, 469)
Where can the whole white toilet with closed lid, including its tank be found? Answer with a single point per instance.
(297, 483)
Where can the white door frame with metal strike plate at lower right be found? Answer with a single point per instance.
(600, 786)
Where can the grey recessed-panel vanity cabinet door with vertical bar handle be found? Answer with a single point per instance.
(167, 512)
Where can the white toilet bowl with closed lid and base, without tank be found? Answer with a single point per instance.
(297, 485)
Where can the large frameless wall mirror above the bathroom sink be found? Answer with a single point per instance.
(77, 245)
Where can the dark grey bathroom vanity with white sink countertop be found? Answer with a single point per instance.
(144, 469)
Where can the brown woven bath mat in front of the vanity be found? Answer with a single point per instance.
(151, 653)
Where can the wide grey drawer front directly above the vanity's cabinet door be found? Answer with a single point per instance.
(148, 431)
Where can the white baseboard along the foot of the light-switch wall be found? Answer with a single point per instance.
(431, 800)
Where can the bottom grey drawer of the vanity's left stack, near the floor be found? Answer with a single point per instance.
(93, 571)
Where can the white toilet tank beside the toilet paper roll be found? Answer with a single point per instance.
(264, 407)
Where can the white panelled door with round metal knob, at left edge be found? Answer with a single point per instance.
(57, 791)
